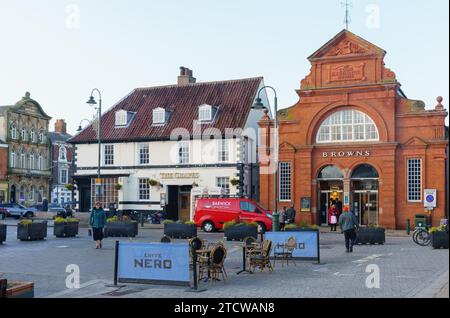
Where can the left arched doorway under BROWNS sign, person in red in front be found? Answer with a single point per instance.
(331, 191)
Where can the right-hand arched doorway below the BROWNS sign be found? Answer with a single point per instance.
(365, 186)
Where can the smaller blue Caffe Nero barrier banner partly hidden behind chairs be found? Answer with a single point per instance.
(307, 244)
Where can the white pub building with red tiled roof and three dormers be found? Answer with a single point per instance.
(162, 144)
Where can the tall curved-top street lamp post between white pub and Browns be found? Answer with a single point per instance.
(259, 105)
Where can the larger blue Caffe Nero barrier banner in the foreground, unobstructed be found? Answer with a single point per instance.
(153, 263)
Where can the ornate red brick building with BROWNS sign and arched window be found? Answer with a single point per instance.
(356, 139)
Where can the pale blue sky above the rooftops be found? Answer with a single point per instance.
(59, 49)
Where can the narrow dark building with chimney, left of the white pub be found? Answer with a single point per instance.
(61, 157)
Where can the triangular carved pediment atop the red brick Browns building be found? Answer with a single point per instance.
(359, 46)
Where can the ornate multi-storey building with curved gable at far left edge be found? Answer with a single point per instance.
(24, 127)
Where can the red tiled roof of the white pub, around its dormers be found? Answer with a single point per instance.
(234, 99)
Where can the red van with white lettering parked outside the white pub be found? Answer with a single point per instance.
(212, 213)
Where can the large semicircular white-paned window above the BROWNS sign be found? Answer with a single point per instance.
(347, 126)
